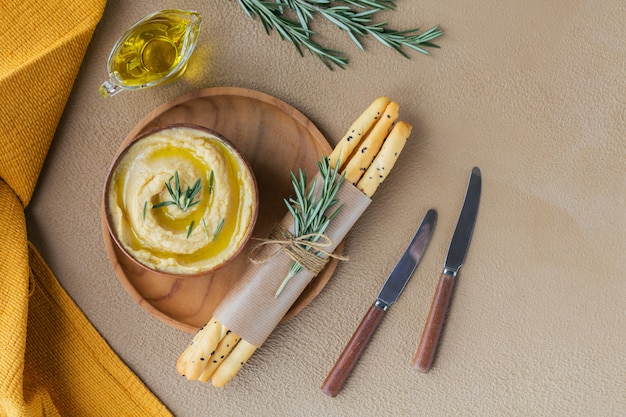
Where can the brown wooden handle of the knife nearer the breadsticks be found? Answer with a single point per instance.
(351, 353)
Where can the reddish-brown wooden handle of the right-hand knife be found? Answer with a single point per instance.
(434, 324)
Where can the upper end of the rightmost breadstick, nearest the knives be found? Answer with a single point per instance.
(386, 158)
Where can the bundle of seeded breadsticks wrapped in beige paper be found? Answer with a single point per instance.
(250, 311)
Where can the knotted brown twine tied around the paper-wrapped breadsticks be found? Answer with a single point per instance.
(306, 250)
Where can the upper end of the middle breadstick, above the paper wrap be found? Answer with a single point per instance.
(369, 147)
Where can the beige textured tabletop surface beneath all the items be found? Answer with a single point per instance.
(533, 92)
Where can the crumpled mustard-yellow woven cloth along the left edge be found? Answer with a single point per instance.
(53, 362)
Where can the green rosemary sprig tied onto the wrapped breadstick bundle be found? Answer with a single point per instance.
(309, 212)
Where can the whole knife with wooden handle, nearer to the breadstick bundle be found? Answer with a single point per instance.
(389, 293)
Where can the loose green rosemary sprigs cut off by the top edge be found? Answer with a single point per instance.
(355, 17)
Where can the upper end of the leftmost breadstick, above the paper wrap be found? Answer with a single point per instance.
(357, 132)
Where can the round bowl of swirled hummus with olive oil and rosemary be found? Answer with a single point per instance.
(181, 200)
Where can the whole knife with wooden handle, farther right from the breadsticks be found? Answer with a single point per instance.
(457, 251)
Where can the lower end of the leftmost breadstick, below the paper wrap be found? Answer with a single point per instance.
(193, 360)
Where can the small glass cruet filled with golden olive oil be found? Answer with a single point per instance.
(155, 50)
